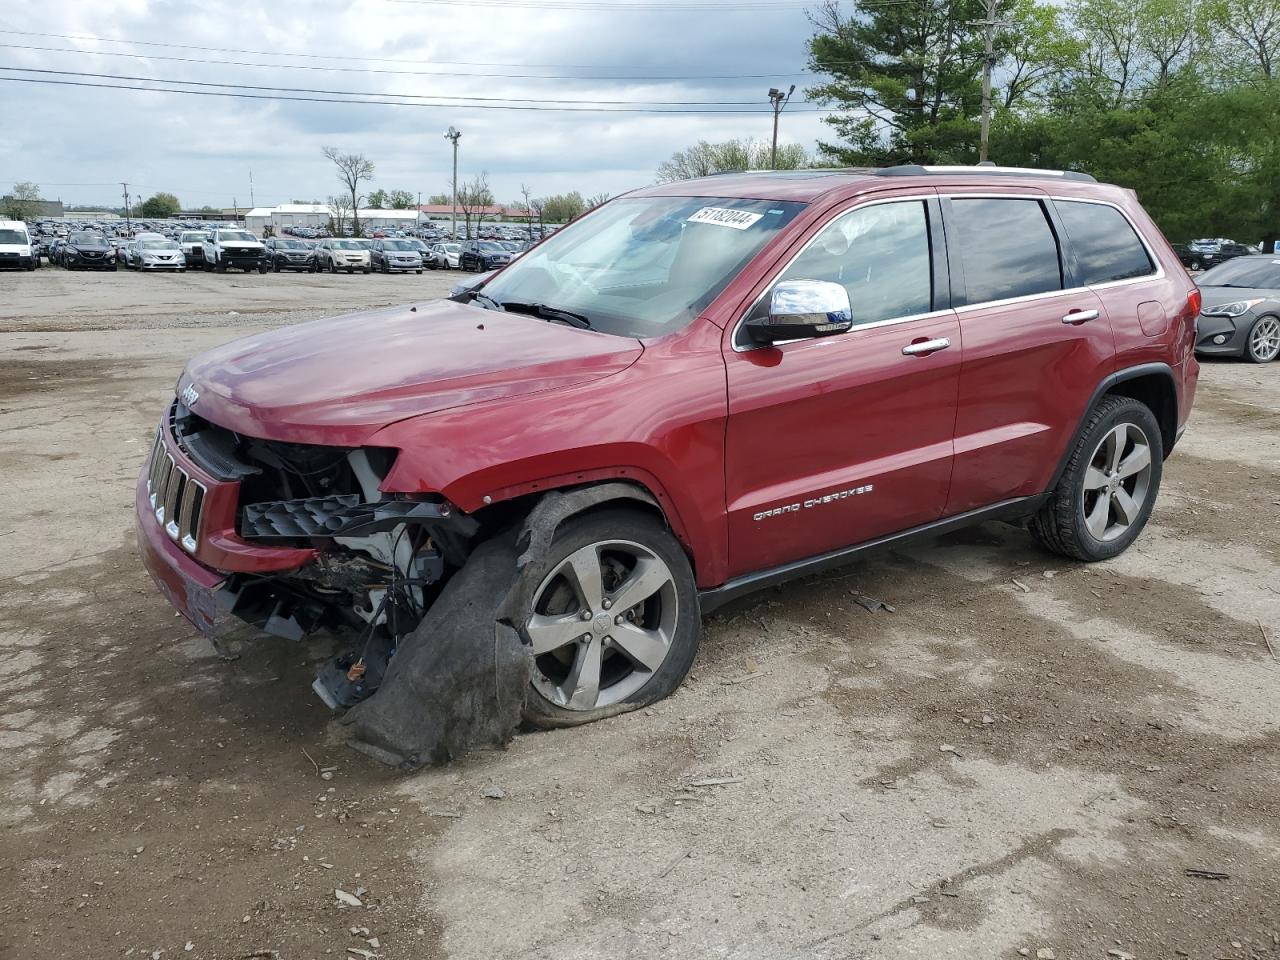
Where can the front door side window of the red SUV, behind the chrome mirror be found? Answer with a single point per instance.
(880, 254)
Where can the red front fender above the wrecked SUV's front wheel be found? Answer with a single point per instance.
(659, 424)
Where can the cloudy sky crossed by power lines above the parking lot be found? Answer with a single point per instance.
(80, 141)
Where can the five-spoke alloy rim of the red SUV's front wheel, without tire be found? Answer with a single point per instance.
(604, 624)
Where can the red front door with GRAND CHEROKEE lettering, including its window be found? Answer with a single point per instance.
(843, 440)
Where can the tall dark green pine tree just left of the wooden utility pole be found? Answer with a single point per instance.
(904, 79)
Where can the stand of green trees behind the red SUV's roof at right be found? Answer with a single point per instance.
(1174, 99)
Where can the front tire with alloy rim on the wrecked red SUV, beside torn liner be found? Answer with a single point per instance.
(671, 612)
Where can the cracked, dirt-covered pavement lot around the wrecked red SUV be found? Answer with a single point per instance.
(1027, 756)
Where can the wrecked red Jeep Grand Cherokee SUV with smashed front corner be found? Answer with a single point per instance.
(723, 385)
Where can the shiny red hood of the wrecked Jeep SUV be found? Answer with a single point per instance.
(339, 382)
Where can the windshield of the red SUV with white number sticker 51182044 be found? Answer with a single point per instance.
(644, 267)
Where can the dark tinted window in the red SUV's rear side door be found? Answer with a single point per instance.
(1008, 246)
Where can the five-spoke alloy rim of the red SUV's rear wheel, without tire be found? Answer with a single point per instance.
(1117, 482)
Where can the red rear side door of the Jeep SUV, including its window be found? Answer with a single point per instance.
(1036, 344)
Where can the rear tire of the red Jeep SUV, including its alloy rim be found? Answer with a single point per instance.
(1099, 509)
